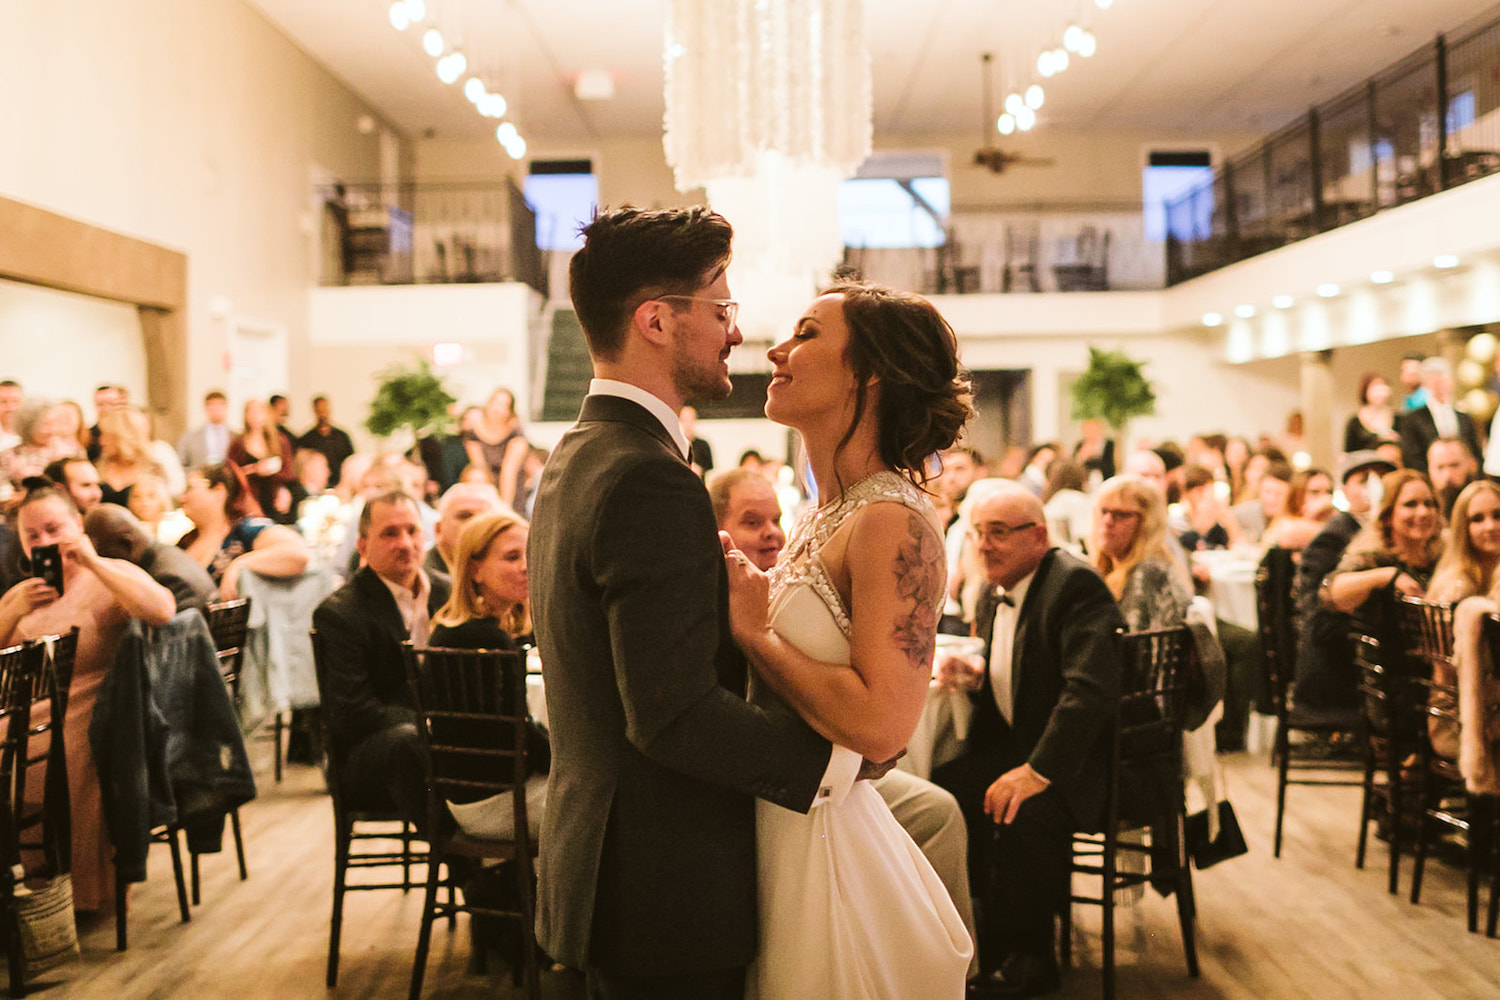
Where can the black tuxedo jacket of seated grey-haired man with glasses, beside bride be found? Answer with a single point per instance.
(1066, 680)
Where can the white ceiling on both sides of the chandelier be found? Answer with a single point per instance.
(1168, 65)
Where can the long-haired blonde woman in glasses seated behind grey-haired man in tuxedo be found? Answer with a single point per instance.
(1130, 552)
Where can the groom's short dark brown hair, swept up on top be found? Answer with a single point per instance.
(632, 256)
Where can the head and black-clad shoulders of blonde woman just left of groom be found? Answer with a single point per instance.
(491, 605)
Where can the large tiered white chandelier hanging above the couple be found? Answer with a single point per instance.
(769, 110)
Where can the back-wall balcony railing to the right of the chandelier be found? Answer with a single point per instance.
(1039, 248)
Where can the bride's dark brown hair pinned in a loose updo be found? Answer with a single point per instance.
(925, 397)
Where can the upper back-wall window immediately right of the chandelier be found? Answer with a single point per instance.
(896, 200)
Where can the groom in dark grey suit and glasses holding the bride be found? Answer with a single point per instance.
(647, 858)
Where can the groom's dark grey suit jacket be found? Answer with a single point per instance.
(647, 858)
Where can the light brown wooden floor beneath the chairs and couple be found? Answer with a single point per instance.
(1307, 926)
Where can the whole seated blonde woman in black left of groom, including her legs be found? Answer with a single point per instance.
(490, 608)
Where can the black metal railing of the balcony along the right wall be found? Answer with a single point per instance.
(1429, 124)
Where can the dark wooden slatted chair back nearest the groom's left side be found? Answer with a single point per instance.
(472, 719)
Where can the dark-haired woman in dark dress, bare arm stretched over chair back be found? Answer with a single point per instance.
(230, 536)
